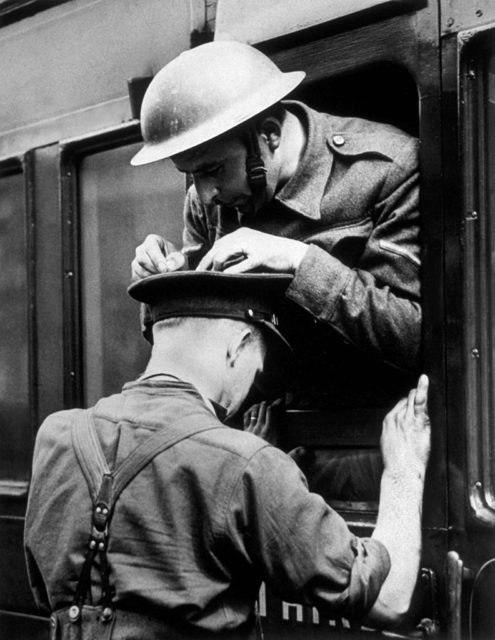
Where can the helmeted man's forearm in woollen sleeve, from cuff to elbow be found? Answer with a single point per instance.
(370, 316)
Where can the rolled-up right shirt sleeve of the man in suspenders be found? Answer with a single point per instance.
(303, 549)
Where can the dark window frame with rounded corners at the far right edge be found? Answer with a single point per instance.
(478, 337)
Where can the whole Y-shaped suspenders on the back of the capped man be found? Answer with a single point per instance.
(105, 486)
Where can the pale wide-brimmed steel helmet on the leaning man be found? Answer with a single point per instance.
(205, 92)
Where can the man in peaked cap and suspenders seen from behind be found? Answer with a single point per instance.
(148, 518)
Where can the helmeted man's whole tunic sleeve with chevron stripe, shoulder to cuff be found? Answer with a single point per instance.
(375, 305)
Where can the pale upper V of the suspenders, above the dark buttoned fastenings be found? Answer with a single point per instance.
(94, 465)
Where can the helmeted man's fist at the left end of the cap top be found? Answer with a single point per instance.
(156, 255)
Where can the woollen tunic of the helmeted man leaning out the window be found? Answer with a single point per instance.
(354, 200)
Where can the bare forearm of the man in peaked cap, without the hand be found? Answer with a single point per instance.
(399, 529)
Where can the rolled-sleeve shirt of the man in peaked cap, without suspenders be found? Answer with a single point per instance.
(195, 533)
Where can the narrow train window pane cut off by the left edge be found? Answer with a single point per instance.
(15, 452)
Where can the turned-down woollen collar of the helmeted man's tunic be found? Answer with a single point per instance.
(304, 191)
